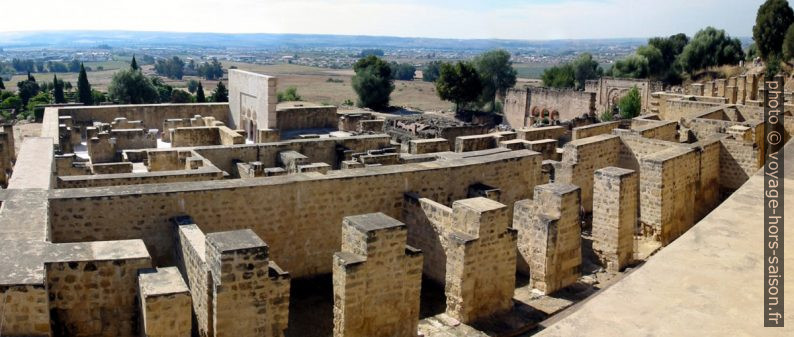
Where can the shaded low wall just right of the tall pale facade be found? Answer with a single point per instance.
(306, 117)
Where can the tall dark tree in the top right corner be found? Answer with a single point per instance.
(771, 22)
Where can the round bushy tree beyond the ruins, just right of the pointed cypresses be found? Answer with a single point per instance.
(132, 87)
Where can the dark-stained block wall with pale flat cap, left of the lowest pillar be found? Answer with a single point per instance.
(97, 295)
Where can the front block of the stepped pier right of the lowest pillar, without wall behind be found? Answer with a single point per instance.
(246, 299)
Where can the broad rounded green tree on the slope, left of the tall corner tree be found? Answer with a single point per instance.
(711, 47)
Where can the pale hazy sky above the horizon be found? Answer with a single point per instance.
(505, 19)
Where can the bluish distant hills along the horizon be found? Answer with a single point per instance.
(67, 39)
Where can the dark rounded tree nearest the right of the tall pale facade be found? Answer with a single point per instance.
(373, 82)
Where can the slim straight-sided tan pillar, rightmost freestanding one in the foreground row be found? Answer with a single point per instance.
(615, 198)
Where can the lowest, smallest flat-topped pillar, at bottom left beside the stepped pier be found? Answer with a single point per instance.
(165, 303)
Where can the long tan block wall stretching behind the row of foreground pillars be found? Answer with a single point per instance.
(284, 205)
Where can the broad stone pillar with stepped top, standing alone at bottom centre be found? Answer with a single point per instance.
(377, 279)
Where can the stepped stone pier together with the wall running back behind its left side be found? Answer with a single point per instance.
(236, 290)
